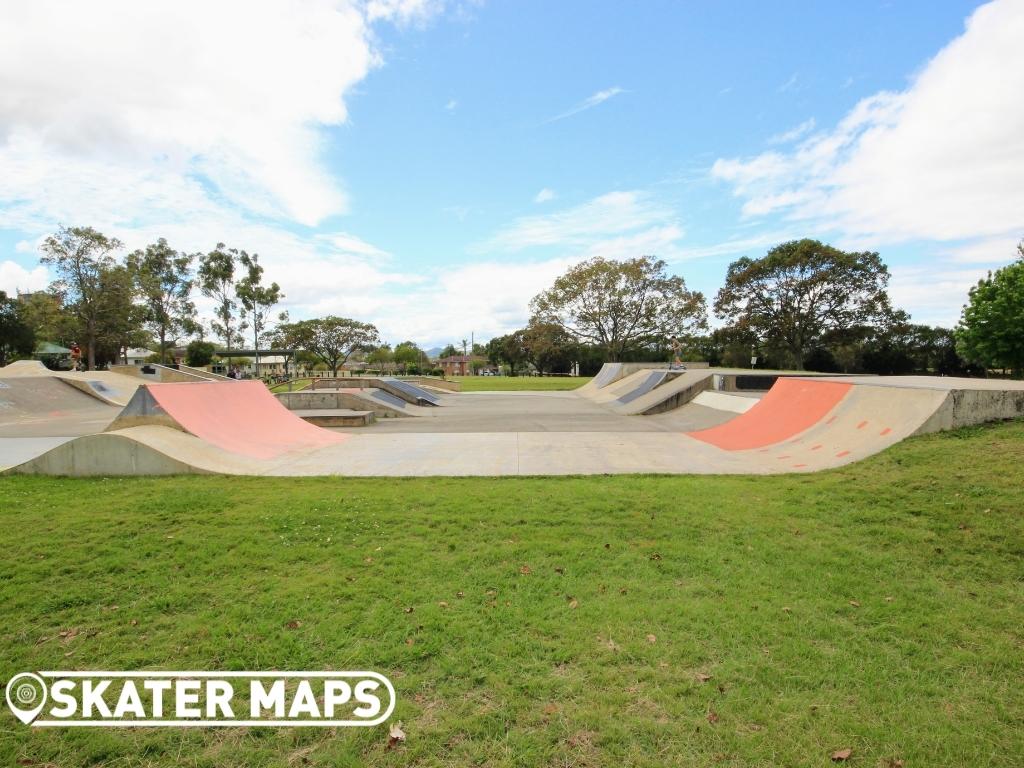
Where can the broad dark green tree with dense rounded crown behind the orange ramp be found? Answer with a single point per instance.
(801, 291)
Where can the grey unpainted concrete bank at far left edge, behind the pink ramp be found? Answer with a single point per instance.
(48, 407)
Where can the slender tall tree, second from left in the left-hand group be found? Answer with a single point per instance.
(164, 279)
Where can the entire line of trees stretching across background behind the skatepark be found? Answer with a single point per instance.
(803, 306)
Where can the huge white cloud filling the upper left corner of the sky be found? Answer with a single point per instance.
(132, 107)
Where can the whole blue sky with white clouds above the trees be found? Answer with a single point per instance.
(431, 166)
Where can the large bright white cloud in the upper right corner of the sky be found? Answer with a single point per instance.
(940, 161)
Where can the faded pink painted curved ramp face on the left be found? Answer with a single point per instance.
(242, 417)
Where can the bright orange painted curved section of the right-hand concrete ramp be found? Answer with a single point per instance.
(791, 407)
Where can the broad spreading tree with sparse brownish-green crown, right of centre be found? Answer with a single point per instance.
(621, 305)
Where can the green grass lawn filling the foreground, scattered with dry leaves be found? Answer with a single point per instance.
(566, 622)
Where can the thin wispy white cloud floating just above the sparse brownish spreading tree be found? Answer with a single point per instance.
(611, 216)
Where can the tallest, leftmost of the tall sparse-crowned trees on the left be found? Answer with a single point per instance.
(84, 263)
